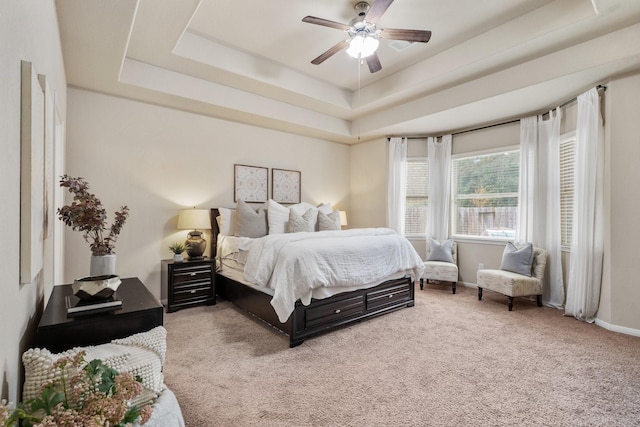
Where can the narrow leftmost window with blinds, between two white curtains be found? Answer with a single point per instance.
(417, 195)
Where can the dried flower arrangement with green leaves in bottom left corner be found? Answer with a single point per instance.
(85, 394)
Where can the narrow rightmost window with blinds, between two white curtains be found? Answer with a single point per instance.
(567, 154)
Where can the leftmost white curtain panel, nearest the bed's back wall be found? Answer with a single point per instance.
(396, 184)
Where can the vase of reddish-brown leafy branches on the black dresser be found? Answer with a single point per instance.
(87, 215)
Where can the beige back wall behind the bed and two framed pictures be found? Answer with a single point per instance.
(158, 160)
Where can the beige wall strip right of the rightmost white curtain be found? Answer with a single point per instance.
(619, 305)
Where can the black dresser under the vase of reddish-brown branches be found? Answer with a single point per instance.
(140, 312)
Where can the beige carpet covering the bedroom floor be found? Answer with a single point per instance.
(449, 361)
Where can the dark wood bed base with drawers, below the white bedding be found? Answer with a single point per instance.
(324, 314)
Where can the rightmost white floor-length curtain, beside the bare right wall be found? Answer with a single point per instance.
(585, 271)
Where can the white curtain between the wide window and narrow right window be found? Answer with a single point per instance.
(539, 193)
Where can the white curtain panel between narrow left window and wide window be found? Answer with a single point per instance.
(439, 188)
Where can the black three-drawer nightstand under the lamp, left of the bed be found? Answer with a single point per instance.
(188, 283)
